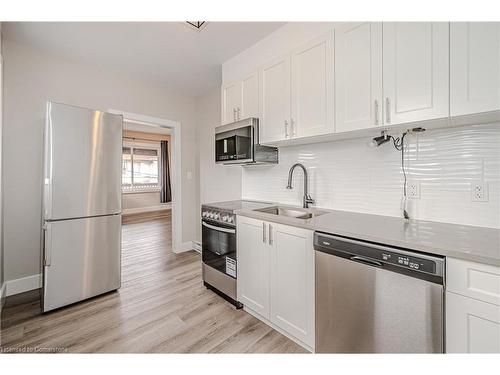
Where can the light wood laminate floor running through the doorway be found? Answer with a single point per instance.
(162, 307)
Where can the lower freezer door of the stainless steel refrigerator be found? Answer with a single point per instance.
(82, 259)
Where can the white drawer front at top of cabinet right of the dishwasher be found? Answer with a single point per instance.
(479, 281)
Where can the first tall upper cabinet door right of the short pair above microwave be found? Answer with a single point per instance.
(275, 100)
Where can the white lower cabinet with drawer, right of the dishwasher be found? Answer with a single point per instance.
(472, 307)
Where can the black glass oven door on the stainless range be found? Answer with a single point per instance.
(219, 247)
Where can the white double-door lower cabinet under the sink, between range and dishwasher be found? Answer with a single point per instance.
(276, 275)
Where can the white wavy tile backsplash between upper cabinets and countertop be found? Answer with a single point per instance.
(349, 175)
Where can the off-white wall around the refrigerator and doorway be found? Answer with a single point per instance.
(31, 78)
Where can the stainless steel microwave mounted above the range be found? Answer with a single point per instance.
(238, 143)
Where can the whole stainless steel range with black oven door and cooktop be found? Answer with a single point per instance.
(218, 222)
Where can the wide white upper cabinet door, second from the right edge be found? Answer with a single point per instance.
(416, 67)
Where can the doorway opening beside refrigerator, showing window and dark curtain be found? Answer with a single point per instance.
(151, 178)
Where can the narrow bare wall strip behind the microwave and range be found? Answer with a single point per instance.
(217, 182)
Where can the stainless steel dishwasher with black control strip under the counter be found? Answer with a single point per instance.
(377, 299)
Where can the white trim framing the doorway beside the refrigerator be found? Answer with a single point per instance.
(175, 126)
